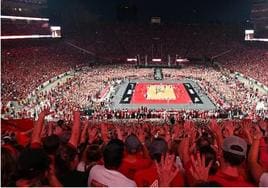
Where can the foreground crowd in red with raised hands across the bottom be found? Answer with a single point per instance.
(89, 153)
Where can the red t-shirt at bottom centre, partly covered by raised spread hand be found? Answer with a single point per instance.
(148, 177)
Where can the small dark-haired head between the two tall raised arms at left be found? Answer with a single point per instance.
(51, 144)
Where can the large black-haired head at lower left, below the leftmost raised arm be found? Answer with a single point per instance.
(32, 163)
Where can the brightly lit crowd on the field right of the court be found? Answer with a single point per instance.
(225, 91)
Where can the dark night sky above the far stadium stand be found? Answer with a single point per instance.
(198, 11)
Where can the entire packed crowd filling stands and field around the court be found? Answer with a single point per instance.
(65, 148)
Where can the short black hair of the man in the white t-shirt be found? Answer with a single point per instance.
(113, 154)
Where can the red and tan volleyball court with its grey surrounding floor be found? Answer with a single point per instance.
(136, 93)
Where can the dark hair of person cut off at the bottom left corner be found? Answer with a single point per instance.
(8, 167)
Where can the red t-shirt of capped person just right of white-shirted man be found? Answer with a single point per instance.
(130, 167)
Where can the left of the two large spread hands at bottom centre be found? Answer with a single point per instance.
(166, 170)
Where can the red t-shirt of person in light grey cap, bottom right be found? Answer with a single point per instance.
(230, 181)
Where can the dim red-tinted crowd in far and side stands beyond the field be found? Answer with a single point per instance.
(121, 41)
